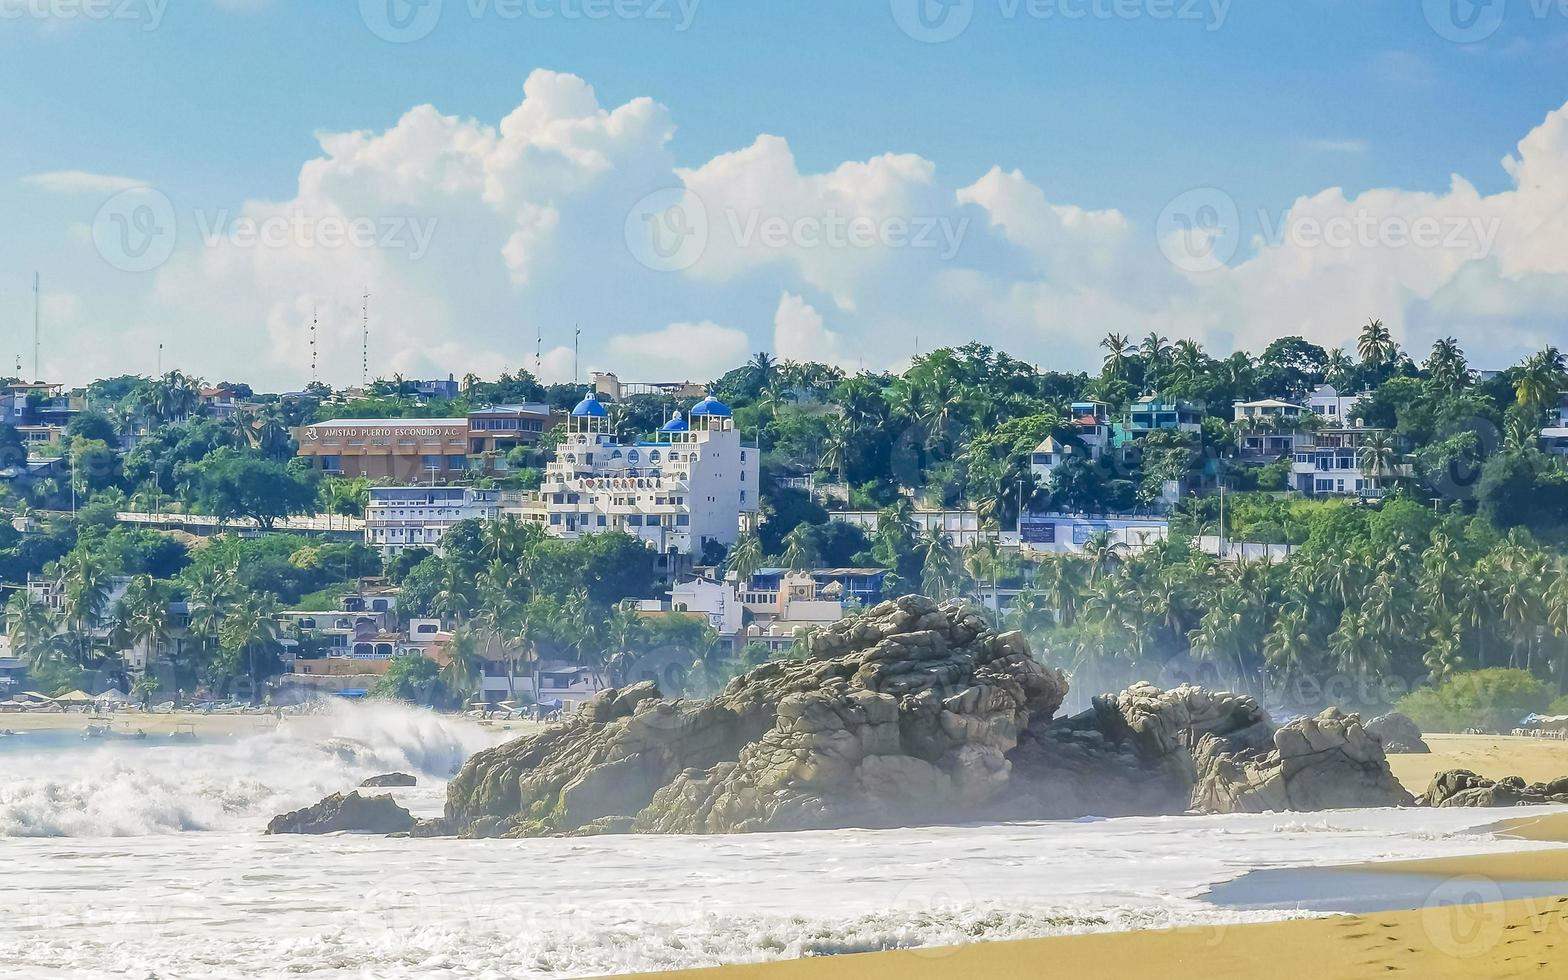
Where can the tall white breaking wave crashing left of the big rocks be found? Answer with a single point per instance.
(137, 789)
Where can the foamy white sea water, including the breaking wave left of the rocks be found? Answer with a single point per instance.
(147, 860)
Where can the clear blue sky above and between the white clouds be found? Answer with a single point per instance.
(220, 103)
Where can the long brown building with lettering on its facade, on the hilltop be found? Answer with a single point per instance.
(423, 451)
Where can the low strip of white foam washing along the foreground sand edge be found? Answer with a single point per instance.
(581, 948)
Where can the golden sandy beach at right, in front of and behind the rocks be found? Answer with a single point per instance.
(1451, 935)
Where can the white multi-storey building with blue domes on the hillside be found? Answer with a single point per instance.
(695, 482)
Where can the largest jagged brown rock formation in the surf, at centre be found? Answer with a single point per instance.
(912, 714)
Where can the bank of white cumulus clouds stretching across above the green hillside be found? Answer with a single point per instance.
(474, 238)
